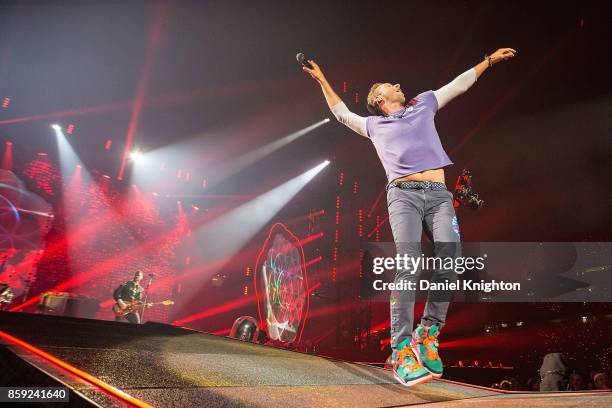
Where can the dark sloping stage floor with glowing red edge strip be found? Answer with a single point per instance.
(166, 366)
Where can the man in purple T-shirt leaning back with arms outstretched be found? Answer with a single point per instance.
(408, 145)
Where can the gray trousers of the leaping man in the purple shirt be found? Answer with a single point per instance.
(409, 211)
